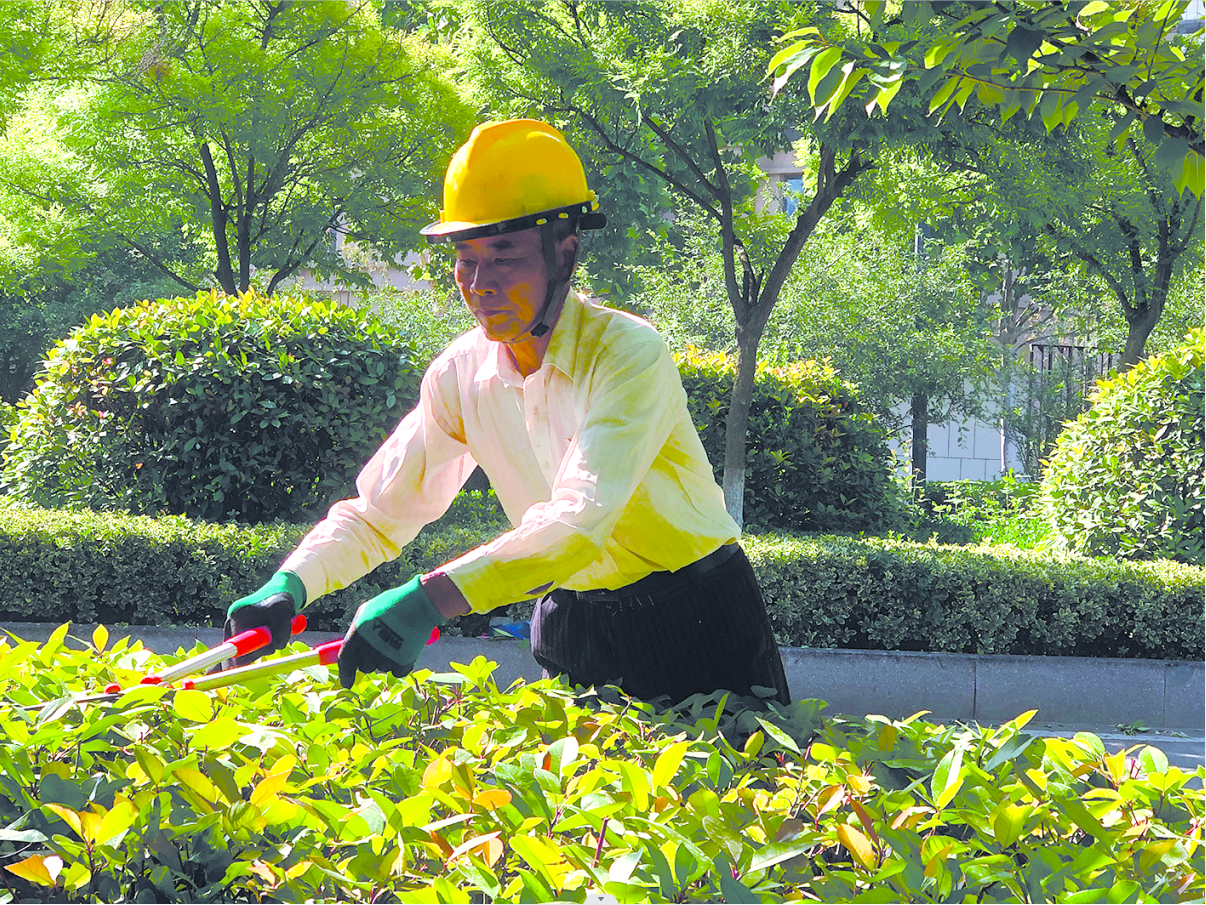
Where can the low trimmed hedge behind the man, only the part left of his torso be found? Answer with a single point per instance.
(62, 565)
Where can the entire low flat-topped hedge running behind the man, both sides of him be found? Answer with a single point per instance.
(824, 592)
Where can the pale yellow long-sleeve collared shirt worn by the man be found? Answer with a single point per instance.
(594, 458)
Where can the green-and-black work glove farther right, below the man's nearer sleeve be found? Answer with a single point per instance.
(389, 633)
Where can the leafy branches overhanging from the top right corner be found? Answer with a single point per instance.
(1057, 59)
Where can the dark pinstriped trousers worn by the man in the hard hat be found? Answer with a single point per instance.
(698, 630)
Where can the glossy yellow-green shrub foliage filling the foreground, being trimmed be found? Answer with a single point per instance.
(444, 789)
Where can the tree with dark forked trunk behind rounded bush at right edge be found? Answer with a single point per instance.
(1076, 200)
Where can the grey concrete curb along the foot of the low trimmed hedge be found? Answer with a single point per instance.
(982, 688)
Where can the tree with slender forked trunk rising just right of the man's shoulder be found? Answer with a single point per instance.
(671, 95)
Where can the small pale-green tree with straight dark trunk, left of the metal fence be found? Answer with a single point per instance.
(901, 318)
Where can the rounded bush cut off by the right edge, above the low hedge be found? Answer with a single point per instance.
(1126, 478)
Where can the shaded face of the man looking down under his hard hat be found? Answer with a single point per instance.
(504, 282)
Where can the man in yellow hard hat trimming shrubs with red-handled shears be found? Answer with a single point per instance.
(578, 417)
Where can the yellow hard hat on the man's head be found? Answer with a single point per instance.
(510, 177)
